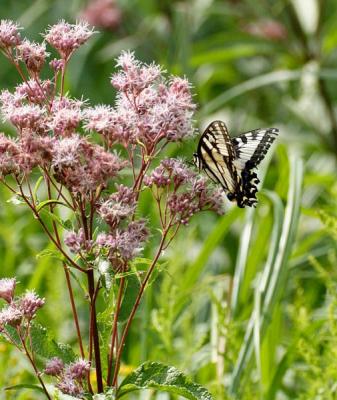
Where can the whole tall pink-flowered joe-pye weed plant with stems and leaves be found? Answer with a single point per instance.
(93, 164)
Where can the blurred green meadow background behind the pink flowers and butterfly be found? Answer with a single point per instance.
(252, 64)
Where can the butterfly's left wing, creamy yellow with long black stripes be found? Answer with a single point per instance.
(216, 155)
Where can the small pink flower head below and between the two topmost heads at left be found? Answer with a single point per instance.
(33, 55)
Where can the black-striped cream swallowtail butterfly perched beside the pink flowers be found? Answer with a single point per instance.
(230, 162)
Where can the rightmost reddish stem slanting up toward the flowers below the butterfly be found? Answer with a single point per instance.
(135, 307)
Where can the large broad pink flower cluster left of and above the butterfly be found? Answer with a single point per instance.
(148, 108)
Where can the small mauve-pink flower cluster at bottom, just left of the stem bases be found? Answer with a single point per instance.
(69, 376)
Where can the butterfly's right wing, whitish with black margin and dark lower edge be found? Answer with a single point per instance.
(250, 149)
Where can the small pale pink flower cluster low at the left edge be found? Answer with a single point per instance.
(20, 309)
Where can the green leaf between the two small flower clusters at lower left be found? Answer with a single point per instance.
(46, 347)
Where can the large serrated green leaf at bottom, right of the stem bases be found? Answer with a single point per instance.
(154, 375)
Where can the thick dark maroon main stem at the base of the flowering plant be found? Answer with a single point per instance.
(94, 330)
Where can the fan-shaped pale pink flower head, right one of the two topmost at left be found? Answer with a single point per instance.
(66, 38)
